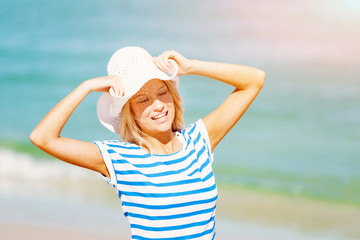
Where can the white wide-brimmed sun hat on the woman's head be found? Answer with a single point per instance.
(135, 67)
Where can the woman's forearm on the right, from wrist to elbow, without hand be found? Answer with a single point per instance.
(239, 76)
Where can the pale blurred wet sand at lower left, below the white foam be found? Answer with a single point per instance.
(53, 218)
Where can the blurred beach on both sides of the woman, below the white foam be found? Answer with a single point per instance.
(241, 215)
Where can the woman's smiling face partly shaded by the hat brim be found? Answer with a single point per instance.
(153, 108)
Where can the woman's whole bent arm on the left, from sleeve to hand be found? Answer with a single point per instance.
(46, 135)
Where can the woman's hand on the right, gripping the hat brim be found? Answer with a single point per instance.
(163, 64)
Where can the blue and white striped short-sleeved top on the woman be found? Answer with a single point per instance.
(165, 196)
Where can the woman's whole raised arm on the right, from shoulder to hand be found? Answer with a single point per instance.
(247, 81)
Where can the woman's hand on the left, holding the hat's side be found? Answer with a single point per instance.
(111, 83)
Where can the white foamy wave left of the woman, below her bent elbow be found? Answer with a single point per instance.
(25, 173)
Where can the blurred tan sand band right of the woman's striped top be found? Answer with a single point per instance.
(291, 212)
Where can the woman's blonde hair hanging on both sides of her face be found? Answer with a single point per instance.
(131, 132)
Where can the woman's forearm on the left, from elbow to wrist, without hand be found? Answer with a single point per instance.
(52, 124)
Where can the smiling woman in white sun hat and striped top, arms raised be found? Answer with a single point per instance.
(161, 170)
